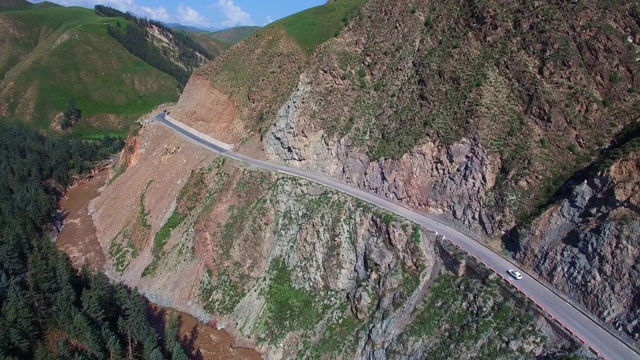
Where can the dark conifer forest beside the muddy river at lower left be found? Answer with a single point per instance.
(48, 309)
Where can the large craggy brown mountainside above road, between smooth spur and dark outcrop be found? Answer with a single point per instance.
(474, 110)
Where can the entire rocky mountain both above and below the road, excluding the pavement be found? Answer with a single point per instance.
(511, 121)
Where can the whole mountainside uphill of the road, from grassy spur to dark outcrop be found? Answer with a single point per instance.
(490, 116)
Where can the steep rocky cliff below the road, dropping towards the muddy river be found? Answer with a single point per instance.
(298, 270)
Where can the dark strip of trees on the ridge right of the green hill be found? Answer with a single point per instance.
(136, 40)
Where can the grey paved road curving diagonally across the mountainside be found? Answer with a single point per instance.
(585, 329)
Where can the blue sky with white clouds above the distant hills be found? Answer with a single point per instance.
(205, 13)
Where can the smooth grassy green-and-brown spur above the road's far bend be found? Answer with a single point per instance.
(260, 72)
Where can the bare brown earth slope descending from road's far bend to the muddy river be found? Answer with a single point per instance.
(162, 159)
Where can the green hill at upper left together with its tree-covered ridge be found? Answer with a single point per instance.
(114, 66)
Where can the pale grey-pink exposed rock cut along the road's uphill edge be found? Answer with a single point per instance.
(451, 179)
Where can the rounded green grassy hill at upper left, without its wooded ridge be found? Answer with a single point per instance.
(59, 53)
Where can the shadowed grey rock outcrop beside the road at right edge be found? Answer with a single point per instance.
(588, 245)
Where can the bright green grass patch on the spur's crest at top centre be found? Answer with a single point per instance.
(314, 26)
